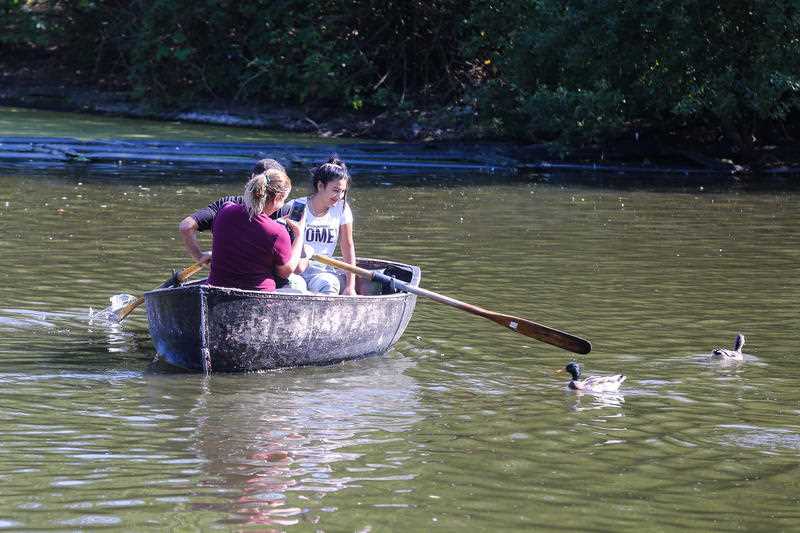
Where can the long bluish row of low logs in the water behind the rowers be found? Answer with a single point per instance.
(391, 158)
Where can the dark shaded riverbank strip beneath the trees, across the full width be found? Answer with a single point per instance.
(692, 150)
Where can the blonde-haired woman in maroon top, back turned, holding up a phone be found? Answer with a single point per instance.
(249, 248)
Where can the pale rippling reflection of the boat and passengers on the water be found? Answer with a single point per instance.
(271, 442)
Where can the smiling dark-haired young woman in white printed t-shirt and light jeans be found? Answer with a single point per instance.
(328, 218)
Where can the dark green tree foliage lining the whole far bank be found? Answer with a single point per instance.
(574, 71)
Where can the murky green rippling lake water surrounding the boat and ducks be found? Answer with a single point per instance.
(464, 425)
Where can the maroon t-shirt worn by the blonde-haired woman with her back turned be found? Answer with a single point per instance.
(244, 252)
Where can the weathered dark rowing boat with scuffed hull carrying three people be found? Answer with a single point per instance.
(201, 327)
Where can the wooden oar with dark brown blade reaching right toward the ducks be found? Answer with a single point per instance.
(520, 325)
